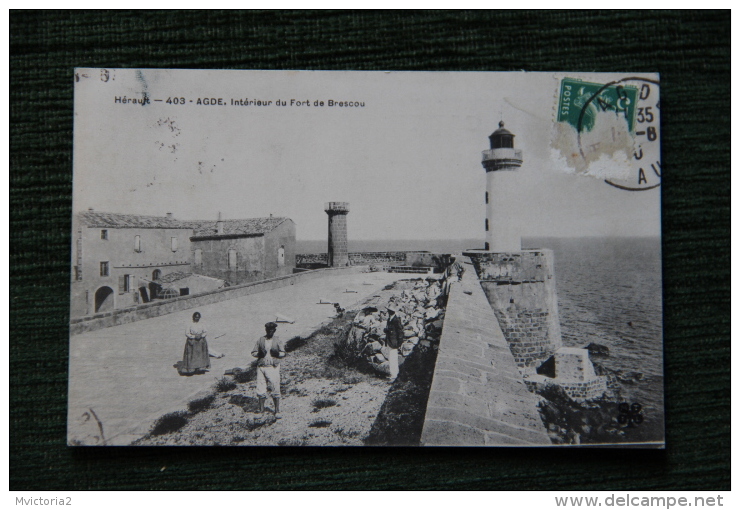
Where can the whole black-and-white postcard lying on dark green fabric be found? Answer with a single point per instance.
(365, 258)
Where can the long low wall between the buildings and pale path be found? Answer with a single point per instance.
(157, 308)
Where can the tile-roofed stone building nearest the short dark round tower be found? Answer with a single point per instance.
(241, 251)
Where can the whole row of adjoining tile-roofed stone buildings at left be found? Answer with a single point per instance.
(123, 260)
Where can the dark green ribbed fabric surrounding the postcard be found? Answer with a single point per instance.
(691, 50)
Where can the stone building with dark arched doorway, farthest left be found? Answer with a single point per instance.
(117, 259)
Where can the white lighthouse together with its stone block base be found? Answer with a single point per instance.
(519, 284)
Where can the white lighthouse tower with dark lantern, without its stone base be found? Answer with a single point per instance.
(501, 162)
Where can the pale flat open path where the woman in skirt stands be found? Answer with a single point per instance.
(125, 373)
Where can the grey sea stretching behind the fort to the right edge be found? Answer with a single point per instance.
(609, 293)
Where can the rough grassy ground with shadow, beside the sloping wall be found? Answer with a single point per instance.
(325, 401)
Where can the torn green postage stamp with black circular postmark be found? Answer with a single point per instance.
(610, 129)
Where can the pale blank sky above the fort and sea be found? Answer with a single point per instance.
(408, 161)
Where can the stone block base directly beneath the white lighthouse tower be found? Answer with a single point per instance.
(520, 287)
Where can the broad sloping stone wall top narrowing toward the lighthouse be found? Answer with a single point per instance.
(477, 396)
